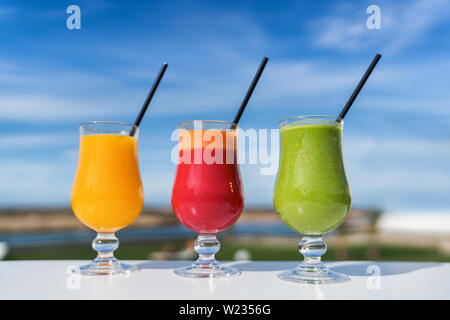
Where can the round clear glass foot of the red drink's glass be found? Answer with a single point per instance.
(209, 271)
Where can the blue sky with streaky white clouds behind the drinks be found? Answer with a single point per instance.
(396, 136)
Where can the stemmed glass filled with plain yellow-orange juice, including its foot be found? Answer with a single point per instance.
(107, 193)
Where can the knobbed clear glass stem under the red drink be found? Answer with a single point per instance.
(206, 245)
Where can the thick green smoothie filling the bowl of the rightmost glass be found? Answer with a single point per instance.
(312, 195)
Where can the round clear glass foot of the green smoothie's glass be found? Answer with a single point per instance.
(320, 275)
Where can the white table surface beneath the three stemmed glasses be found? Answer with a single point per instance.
(51, 280)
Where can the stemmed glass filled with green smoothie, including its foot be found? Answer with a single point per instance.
(312, 195)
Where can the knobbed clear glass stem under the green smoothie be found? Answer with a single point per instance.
(312, 247)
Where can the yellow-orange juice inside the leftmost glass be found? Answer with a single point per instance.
(107, 193)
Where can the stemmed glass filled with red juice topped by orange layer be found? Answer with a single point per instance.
(207, 194)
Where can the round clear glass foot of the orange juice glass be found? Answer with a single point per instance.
(114, 267)
